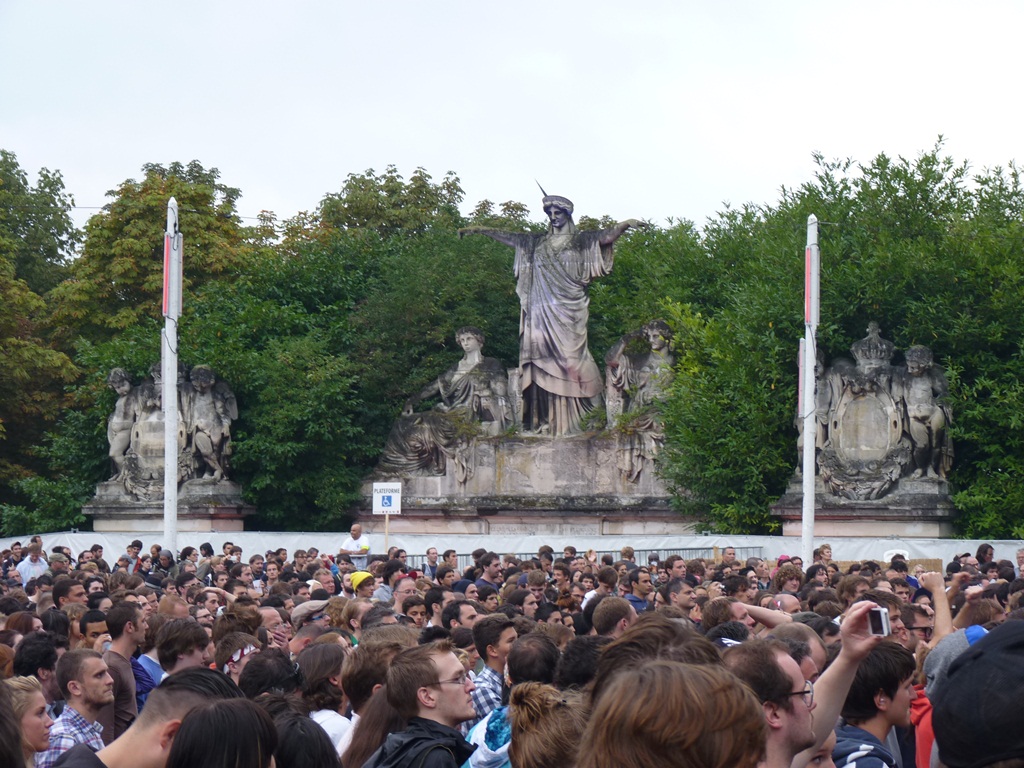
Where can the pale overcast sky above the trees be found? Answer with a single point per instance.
(651, 110)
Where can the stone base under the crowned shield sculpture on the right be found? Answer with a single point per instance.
(917, 508)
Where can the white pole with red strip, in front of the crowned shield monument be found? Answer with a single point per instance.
(813, 265)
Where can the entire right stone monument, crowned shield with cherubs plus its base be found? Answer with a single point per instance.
(883, 450)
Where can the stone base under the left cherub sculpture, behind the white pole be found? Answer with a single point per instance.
(204, 505)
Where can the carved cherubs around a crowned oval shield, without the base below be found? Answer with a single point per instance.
(884, 422)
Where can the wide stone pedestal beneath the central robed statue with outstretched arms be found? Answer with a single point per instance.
(534, 485)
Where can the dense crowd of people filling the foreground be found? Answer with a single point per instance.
(565, 659)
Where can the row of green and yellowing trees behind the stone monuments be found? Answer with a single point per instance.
(326, 324)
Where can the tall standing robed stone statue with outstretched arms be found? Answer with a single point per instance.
(560, 379)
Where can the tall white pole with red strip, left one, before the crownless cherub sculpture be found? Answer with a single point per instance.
(169, 372)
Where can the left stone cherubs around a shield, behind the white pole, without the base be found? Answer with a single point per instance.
(136, 431)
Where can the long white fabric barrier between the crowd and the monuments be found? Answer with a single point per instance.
(771, 547)
